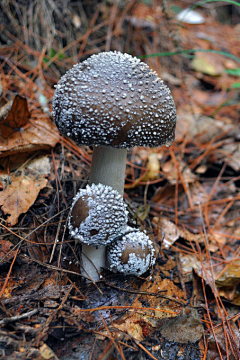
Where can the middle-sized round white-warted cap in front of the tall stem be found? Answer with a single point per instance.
(98, 214)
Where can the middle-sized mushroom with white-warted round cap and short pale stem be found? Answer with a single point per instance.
(98, 214)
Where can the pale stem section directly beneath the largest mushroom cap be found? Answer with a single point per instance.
(108, 167)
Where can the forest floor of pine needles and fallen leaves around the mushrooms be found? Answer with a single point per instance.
(186, 197)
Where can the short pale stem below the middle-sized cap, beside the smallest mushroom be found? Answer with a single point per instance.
(92, 260)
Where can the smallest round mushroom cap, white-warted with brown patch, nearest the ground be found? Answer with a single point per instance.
(131, 253)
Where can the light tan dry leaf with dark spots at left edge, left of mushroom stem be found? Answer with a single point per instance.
(23, 188)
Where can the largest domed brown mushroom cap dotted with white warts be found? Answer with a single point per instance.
(114, 99)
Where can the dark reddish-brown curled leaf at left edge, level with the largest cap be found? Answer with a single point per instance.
(17, 117)
